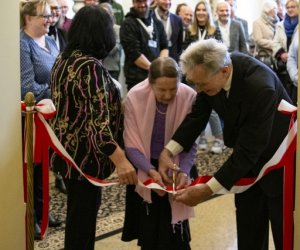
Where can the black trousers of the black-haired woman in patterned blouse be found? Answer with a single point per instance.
(84, 200)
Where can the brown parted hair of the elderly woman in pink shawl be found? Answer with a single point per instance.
(163, 67)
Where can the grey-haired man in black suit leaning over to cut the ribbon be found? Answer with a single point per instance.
(246, 94)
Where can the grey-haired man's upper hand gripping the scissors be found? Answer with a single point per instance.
(165, 163)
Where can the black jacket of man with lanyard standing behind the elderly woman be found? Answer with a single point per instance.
(135, 42)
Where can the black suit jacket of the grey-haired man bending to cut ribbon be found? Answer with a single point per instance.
(252, 125)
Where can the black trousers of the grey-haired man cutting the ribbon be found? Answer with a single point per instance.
(254, 210)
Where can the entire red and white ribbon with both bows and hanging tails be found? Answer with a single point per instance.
(45, 138)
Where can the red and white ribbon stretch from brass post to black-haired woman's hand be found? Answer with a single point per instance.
(44, 138)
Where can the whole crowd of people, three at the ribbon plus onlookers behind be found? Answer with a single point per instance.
(182, 71)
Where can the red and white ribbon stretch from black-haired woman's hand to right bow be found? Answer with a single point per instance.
(283, 157)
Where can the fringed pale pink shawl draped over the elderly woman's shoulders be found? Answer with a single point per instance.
(140, 108)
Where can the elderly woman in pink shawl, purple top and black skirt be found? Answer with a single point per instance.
(154, 109)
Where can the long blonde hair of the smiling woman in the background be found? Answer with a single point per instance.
(210, 26)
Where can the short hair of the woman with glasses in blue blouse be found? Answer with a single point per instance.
(31, 8)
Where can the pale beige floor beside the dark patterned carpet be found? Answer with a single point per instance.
(213, 228)
